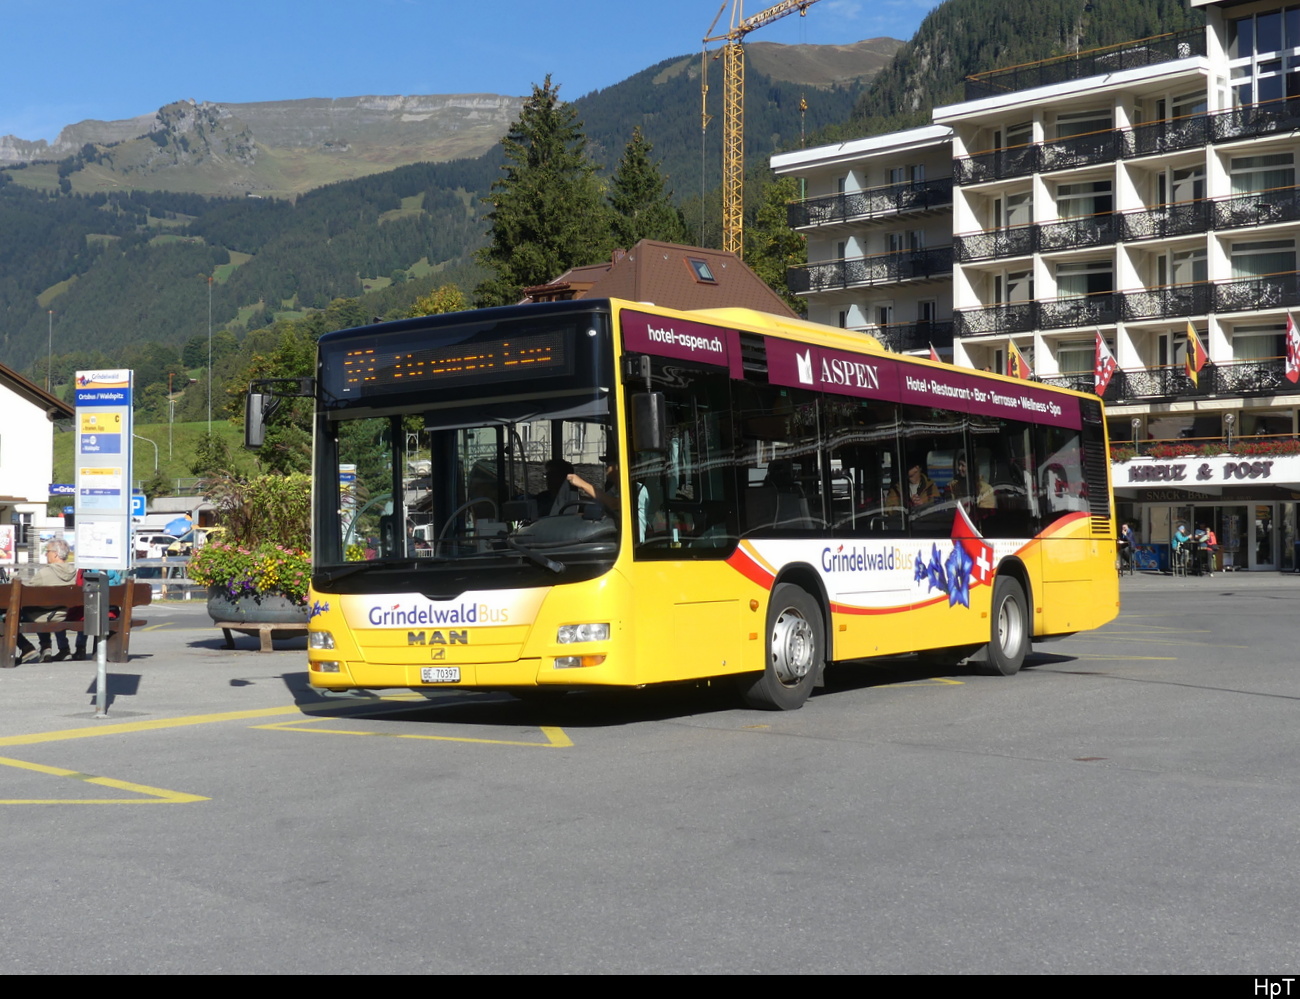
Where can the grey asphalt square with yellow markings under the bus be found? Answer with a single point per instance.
(1125, 805)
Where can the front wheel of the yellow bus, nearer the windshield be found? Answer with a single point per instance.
(796, 641)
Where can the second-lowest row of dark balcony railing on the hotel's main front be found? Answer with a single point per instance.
(1246, 295)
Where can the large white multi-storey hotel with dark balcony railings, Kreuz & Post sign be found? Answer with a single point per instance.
(1136, 191)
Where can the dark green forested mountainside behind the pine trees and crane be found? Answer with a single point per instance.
(133, 267)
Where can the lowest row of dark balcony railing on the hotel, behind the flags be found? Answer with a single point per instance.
(1266, 377)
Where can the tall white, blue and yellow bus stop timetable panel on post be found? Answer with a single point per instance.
(103, 499)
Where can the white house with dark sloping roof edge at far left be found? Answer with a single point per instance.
(27, 460)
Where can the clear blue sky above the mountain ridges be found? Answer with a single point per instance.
(118, 59)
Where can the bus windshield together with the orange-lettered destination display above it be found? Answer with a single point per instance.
(419, 470)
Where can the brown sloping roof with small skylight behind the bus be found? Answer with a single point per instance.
(664, 274)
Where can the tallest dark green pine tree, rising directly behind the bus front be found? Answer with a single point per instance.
(548, 214)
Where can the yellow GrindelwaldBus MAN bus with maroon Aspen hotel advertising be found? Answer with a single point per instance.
(608, 494)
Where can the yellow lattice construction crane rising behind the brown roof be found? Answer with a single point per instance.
(734, 109)
